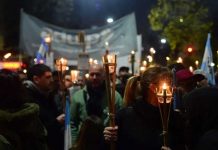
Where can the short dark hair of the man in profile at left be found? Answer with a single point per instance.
(37, 70)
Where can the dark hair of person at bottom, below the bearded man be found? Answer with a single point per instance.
(91, 134)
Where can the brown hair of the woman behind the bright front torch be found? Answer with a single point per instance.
(154, 75)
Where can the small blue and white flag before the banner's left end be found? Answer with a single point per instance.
(41, 52)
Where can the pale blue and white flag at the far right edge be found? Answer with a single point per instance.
(207, 61)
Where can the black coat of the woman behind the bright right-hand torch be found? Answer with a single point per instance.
(140, 127)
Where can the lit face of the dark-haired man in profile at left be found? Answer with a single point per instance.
(44, 82)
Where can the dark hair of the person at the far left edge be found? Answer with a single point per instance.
(11, 89)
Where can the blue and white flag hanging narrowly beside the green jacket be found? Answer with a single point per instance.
(67, 132)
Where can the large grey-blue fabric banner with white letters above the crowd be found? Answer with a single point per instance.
(120, 35)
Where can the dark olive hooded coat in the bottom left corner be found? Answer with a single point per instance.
(21, 129)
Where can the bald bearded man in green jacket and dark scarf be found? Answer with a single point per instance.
(91, 100)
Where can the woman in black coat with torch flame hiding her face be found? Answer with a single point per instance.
(139, 125)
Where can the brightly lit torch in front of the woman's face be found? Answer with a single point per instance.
(164, 95)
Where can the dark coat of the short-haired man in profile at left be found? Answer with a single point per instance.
(48, 114)
